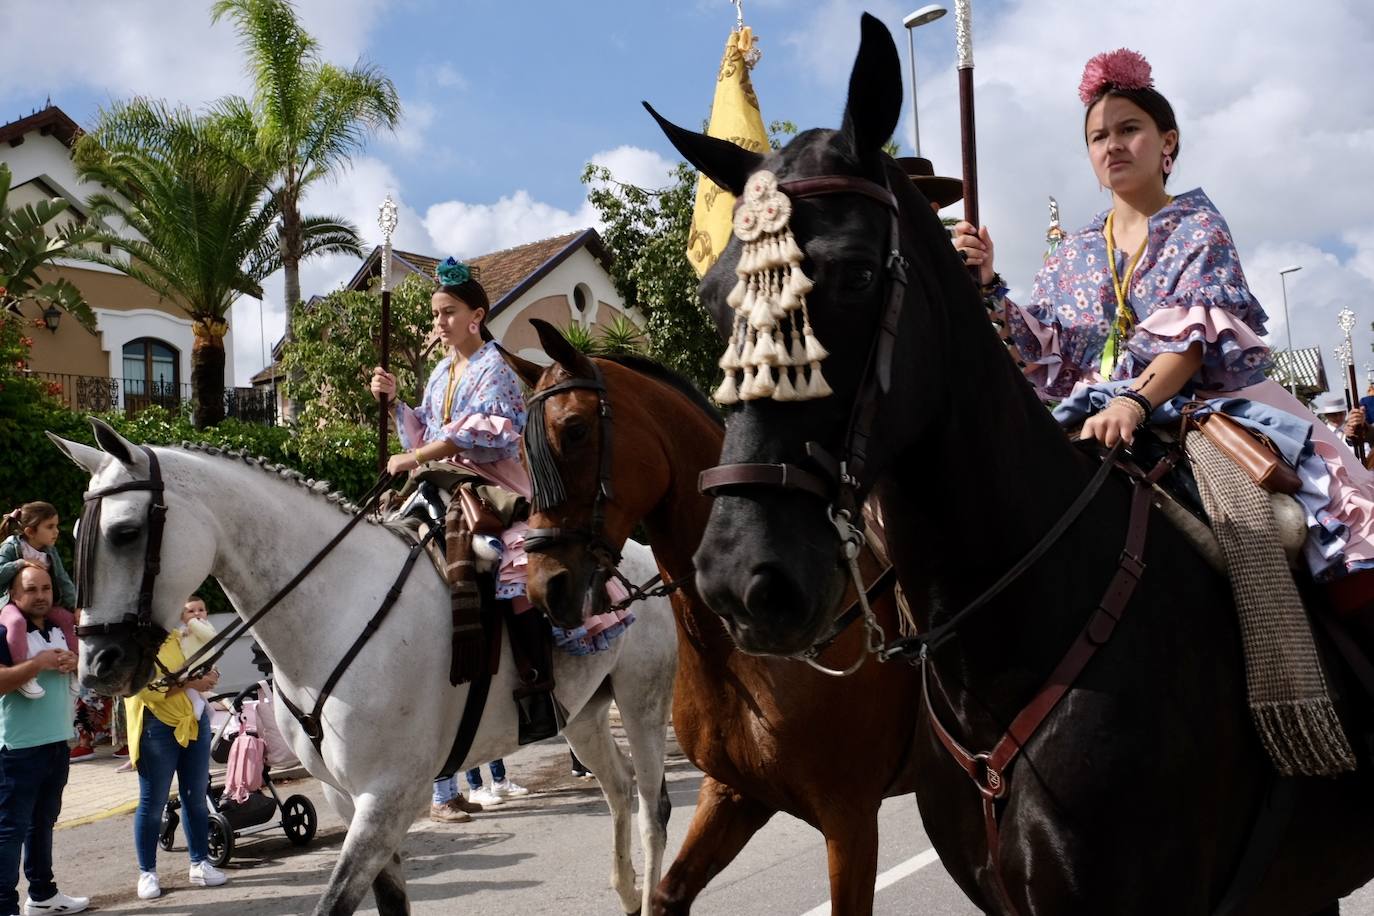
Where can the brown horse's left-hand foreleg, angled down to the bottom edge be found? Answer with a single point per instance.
(723, 823)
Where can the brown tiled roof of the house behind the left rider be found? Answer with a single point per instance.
(505, 274)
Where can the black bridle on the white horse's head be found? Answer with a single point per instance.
(146, 634)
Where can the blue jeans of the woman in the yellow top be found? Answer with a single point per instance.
(160, 757)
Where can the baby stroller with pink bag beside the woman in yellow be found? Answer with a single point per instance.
(248, 713)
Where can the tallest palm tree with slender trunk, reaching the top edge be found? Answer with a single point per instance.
(306, 120)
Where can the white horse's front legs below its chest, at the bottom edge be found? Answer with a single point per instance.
(376, 834)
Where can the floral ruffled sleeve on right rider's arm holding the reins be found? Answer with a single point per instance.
(1210, 304)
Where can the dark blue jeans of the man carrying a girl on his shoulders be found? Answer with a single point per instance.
(31, 799)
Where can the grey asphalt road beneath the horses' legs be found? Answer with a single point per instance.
(549, 854)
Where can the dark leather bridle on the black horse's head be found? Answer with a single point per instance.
(840, 483)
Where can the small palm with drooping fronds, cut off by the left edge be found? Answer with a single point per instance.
(28, 245)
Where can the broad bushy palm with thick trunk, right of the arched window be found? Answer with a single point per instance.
(203, 225)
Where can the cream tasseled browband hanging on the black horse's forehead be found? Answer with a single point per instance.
(773, 328)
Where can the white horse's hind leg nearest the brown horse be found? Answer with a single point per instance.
(645, 715)
